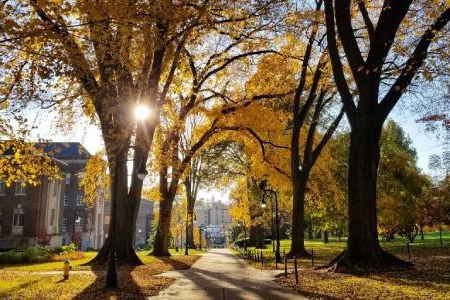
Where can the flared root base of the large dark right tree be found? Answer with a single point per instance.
(385, 262)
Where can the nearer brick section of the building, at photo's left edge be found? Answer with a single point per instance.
(31, 214)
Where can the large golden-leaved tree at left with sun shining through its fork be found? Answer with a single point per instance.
(104, 58)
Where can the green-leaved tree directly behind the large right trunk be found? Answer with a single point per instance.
(401, 186)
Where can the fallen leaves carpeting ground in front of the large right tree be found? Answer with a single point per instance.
(430, 279)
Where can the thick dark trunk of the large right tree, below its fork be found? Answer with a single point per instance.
(364, 252)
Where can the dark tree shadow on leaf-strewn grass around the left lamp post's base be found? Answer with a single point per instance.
(128, 288)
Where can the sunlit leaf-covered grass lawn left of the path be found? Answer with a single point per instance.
(25, 281)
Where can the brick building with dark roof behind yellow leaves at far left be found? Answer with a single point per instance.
(54, 209)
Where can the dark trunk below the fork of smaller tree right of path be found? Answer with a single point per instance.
(298, 228)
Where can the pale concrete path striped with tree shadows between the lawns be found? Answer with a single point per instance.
(219, 275)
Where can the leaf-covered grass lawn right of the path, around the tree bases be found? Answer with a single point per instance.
(429, 279)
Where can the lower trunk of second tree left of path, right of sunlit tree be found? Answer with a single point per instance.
(162, 237)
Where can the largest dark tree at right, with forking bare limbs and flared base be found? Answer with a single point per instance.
(367, 115)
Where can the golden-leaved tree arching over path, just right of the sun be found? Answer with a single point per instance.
(204, 98)
